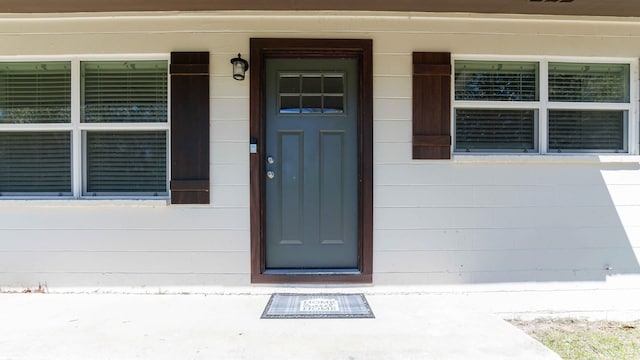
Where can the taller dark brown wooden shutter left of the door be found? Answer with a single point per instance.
(190, 128)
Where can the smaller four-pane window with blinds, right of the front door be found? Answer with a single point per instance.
(498, 106)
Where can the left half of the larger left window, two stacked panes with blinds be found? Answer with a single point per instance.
(32, 161)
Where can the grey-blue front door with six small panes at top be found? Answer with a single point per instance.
(311, 159)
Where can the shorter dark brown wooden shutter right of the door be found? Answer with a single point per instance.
(431, 105)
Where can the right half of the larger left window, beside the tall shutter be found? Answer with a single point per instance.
(122, 161)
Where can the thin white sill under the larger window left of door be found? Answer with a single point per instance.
(68, 202)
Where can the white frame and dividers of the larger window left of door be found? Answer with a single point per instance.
(78, 129)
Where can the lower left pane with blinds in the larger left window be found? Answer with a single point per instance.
(35, 162)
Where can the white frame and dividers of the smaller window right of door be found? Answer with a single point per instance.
(544, 105)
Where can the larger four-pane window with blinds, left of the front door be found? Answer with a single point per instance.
(113, 145)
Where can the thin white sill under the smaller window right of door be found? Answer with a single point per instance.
(546, 159)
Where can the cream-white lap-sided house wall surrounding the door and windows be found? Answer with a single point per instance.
(470, 220)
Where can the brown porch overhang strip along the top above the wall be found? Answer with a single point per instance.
(626, 8)
